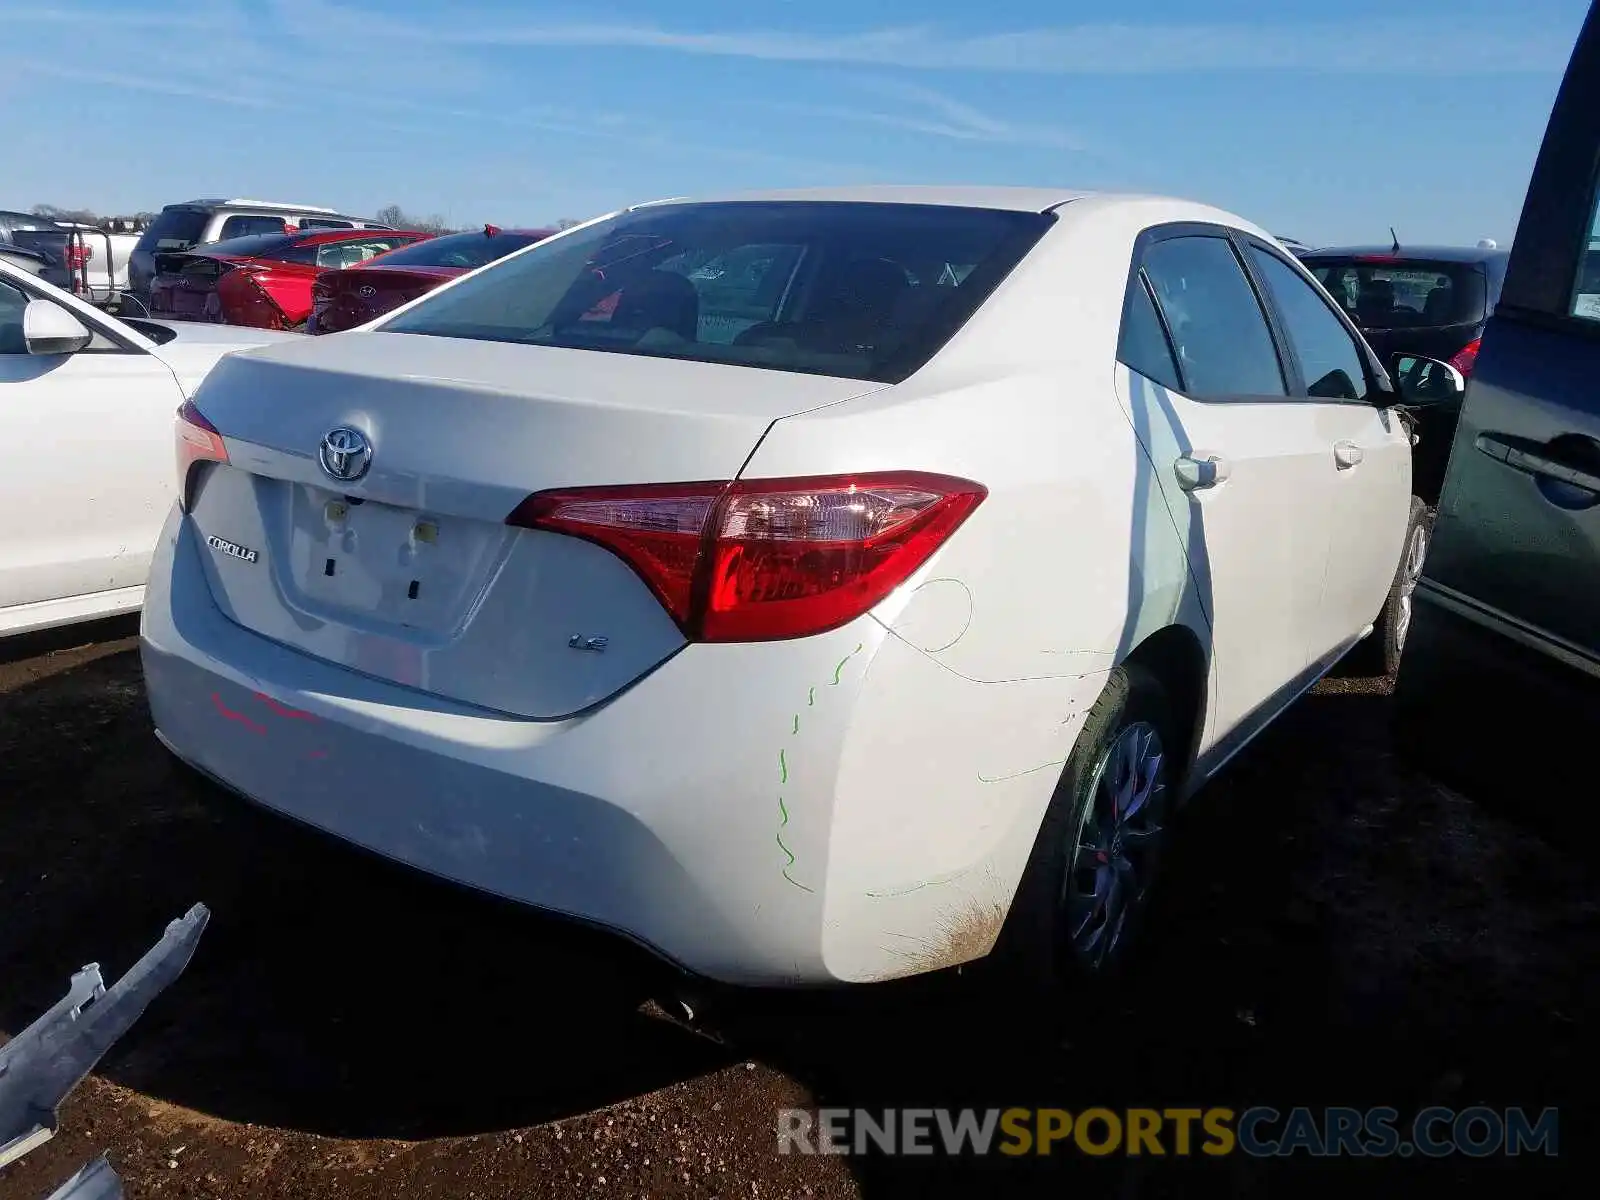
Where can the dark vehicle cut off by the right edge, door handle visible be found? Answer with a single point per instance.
(1500, 681)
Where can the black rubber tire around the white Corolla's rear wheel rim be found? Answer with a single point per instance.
(1038, 946)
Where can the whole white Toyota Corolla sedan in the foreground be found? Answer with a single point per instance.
(810, 586)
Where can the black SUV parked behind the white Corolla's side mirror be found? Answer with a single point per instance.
(1430, 302)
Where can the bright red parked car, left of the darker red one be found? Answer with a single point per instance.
(263, 281)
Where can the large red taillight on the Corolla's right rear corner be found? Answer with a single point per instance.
(758, 561)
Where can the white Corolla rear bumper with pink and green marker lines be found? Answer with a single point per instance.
(735, 810)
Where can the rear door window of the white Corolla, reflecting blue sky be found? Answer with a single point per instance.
(1220, 332)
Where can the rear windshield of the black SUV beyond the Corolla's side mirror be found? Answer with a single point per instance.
(1407, 294)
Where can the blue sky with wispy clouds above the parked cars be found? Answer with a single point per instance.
(1324, 122)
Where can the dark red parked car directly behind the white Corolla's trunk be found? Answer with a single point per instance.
(358, 295)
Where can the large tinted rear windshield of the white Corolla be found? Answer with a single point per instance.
(855, 290)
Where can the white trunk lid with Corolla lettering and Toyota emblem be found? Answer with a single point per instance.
(410, 574)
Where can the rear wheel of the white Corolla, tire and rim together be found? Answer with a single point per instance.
(1100, 846)
